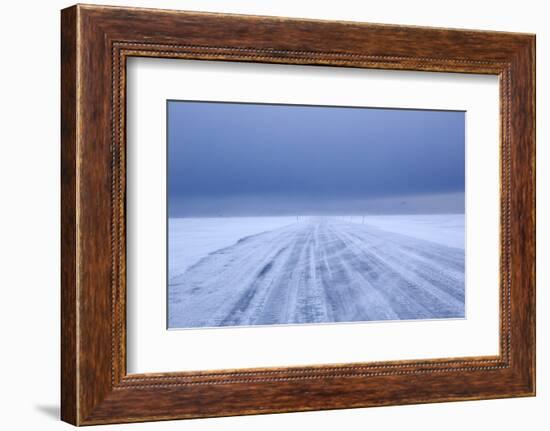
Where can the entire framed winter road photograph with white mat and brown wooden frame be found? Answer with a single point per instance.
(263, 214)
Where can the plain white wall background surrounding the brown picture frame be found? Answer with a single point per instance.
(29, 218)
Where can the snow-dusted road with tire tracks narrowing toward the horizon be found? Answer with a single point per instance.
(321, 270)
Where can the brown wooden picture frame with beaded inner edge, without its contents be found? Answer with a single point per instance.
(95, 43)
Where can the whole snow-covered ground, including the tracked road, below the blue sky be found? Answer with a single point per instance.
(284, 270)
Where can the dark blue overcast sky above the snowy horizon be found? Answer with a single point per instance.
(257, 159)
